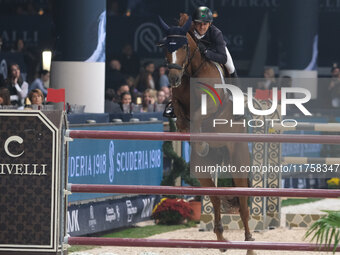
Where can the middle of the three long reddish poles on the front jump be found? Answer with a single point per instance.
(234, 191)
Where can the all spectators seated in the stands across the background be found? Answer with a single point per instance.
(131, 86)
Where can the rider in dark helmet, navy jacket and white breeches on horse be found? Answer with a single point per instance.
(211, 44)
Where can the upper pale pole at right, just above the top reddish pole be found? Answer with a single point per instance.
(307, 126)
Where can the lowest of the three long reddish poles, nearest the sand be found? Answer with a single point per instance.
(173, 243)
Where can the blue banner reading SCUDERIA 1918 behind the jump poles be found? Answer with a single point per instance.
(115, 161)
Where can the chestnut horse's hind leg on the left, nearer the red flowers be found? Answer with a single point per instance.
(215, 200)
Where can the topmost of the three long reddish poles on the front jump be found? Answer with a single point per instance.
(208, 137)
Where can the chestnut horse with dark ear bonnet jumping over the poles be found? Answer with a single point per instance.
(185, 62)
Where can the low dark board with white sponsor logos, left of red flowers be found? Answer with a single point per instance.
(110, 214)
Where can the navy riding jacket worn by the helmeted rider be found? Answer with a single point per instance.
(214, 41)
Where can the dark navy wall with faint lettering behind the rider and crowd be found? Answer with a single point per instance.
(135, 22)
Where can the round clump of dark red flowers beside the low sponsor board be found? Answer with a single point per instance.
(170, 211)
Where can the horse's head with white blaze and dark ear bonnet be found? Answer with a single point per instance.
(177, 51)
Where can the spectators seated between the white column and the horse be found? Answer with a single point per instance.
(135, 87)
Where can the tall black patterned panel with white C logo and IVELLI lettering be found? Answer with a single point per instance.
(28, 181)
